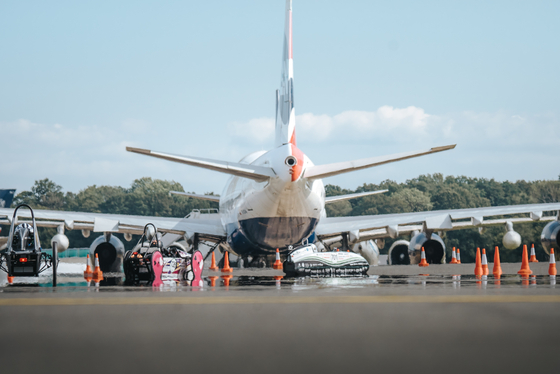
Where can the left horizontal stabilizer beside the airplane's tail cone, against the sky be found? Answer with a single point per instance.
(257, 173)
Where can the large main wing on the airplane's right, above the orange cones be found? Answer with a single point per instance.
(391, 225)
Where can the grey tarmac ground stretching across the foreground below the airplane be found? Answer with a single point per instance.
(393, 320)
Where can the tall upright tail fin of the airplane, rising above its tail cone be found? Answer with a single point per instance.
(285, 115)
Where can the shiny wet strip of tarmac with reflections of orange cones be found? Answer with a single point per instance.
(245, 282)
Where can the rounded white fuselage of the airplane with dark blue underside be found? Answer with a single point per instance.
(262, 216)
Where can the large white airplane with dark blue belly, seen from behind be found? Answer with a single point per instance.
(276, 200)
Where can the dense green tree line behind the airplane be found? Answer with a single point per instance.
(426, 192)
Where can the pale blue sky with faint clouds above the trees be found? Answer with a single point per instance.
(80, 81)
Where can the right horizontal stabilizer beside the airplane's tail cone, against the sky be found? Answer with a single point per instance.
(329, 170)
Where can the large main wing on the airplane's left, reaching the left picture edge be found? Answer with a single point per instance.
(208, 226)
